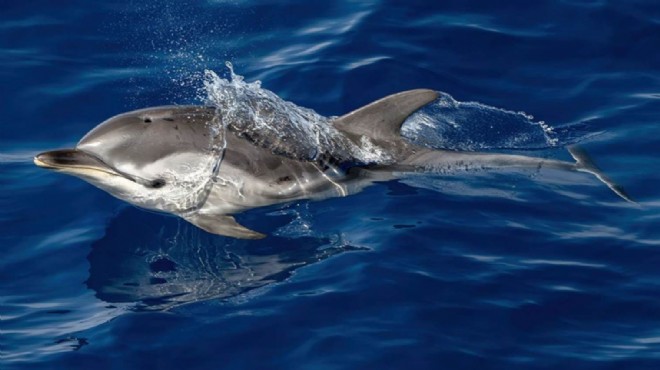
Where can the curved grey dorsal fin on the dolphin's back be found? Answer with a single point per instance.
(383, 118)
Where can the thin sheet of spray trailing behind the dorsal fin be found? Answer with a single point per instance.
(450, 124)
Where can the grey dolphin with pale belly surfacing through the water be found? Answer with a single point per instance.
(187, 161)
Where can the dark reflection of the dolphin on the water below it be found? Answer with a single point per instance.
(158, 262)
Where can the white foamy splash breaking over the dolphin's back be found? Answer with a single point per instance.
(264, 118)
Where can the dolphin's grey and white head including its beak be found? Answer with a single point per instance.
(157, 158)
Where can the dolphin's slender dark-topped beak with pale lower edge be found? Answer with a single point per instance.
(71, 160)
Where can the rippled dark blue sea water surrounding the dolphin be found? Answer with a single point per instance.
(487, 270)
